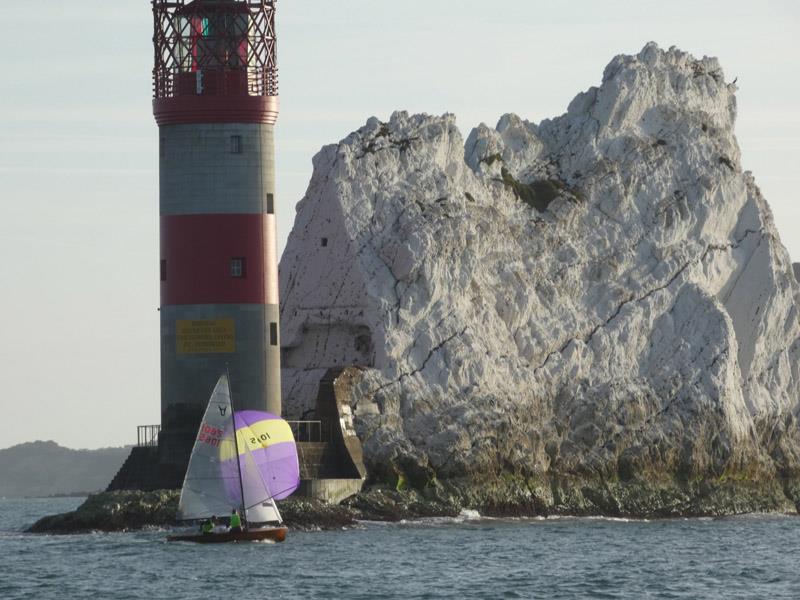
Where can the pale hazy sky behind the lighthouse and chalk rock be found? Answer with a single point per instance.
(78, 151)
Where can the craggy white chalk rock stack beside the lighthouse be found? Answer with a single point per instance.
(599, 297)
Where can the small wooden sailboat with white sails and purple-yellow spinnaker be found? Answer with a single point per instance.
(243, 461)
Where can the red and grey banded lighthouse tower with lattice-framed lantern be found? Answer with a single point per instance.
(216, 102)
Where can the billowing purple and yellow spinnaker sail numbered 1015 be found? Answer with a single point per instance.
(267, 458)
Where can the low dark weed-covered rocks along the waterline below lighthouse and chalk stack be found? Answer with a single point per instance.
(505, 497)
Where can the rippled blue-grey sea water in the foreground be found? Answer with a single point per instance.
(469, 557)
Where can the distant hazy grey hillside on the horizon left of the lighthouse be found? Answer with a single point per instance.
(46, 469)
